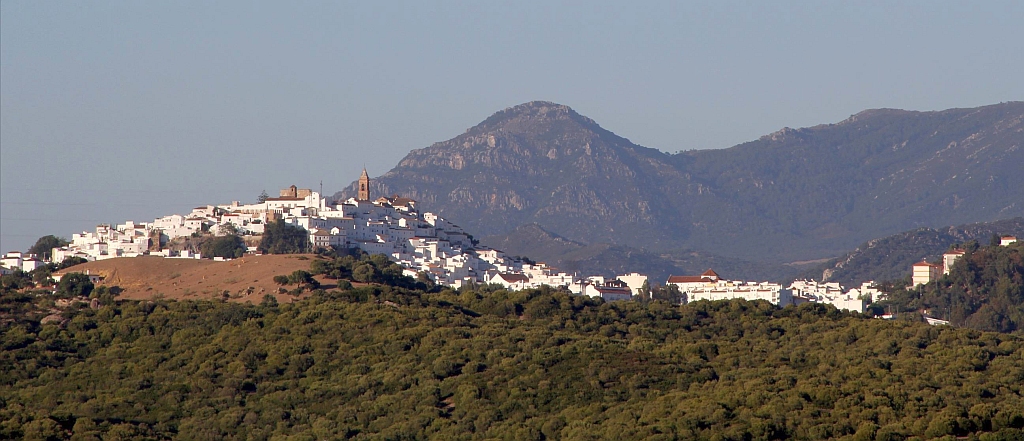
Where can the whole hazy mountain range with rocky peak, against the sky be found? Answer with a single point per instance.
(794, 195)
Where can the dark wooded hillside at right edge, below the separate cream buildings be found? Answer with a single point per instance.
(985, 290)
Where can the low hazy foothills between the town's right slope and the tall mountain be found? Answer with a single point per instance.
(609, 259)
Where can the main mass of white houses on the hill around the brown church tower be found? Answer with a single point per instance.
(420, 243)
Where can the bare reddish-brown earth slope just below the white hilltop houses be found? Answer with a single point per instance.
(246, 280)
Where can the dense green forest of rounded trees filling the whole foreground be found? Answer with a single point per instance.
(382, 362)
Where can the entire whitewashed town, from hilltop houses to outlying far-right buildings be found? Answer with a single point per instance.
(426, 246)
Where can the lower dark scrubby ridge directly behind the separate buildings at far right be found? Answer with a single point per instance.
(890, 258)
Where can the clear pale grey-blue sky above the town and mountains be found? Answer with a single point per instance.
(133, 111)
